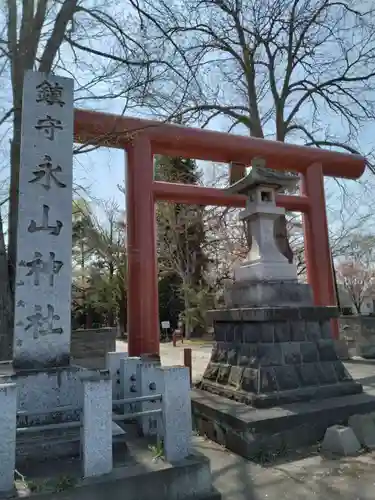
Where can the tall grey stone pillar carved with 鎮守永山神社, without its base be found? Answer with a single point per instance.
(42, 317)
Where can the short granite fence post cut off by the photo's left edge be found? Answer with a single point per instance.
(8, 425)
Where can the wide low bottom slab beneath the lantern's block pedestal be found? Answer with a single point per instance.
(252, 433)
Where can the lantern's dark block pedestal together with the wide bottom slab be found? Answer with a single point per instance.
(274, 380)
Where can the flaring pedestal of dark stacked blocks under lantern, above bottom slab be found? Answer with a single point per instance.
(267, 357)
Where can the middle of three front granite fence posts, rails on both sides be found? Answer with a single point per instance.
(97, 423)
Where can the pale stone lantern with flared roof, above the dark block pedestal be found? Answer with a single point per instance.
(266, 277)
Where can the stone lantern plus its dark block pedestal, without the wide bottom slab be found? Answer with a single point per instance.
(273, 346)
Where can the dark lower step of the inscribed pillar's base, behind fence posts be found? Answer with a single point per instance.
(59, 443)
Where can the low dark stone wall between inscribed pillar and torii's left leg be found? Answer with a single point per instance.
(93, 343)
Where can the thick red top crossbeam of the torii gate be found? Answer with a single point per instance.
(177, 140)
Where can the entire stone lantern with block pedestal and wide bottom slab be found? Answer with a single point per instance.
(274, 380)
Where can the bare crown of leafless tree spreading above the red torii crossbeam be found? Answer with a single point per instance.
(297, 70)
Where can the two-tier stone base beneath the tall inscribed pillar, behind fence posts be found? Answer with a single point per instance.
(50, 396)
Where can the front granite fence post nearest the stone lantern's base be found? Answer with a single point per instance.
(176, 405)
